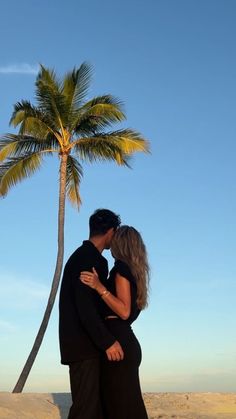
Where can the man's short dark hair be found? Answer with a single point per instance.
(101, 221)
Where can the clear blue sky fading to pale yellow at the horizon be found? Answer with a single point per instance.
(173, 64)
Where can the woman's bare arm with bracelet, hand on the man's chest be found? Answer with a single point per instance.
(121, 304)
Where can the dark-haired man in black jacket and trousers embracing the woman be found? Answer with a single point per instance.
(82, 332)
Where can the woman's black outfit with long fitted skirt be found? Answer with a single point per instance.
(121, 393)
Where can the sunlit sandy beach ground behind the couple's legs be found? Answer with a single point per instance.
(159, 405)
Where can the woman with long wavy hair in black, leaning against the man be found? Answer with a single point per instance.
(124, 296)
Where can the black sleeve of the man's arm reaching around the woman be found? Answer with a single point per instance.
(90, 318)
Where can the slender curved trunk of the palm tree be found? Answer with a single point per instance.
(55, 283)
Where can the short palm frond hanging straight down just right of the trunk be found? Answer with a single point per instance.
(74, 174)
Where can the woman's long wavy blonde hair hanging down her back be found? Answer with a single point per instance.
(127, 245)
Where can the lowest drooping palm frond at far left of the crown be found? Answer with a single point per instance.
(15, 169)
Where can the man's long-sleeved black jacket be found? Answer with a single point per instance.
(82, 332)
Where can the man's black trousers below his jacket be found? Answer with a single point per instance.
(85, 389)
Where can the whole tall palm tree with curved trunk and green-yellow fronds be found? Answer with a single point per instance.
(63, 123)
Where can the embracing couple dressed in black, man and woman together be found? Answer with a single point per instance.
(95, 316)
